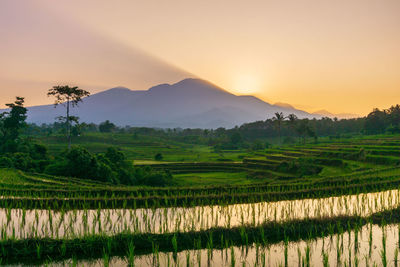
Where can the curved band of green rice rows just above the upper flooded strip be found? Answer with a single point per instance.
(60, 194)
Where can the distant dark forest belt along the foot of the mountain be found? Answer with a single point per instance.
(289, 129)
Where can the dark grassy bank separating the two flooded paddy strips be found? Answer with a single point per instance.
(262, 235)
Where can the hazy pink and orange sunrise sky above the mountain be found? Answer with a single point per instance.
(341, 56)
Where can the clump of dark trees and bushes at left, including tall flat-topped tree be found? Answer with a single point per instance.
(20, 152)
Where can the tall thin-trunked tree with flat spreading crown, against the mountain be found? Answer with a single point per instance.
(69, 97)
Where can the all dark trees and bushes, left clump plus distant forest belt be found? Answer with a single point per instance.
(17, 150)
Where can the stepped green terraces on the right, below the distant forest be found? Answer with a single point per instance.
(272, 165)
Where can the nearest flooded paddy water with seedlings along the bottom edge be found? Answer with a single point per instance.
(355, 248)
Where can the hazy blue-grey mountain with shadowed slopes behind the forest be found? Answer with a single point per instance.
(190, 103)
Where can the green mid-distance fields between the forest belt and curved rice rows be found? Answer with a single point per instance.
(359, 153)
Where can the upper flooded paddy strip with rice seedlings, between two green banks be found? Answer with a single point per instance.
(19, 223)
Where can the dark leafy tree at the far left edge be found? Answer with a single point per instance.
(11, 124)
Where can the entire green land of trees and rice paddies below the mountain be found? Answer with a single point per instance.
(175, 194)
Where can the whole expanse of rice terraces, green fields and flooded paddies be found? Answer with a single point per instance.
(336, 202)
